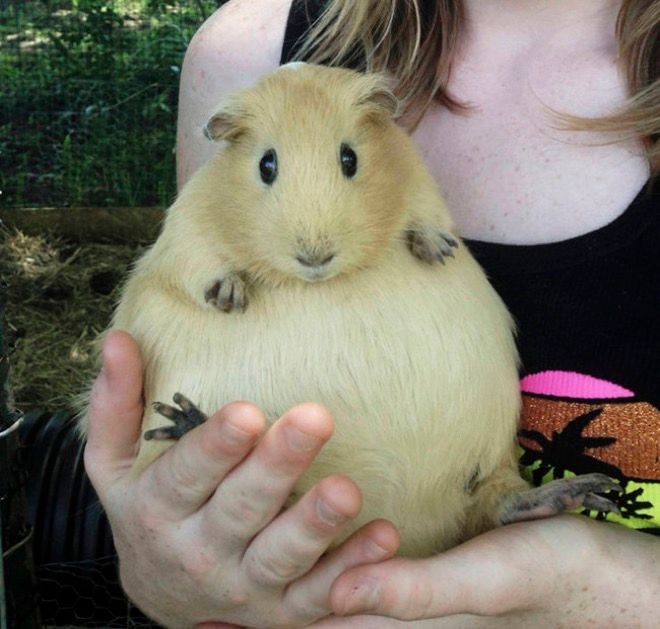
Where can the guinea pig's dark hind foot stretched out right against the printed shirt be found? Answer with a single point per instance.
(558, 496)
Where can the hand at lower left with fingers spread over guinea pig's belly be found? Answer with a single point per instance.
(201, 534)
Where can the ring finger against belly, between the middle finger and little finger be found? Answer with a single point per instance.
(291, 544)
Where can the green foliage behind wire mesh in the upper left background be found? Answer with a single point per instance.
(88, 96)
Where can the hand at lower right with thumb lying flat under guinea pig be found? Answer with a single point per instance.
(563, 571)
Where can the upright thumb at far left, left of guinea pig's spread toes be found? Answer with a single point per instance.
(115, 412)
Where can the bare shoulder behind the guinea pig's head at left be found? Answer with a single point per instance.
(238, 44)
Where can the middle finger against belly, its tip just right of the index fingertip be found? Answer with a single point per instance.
(255, 492)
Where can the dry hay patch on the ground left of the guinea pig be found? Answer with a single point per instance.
(60, 297)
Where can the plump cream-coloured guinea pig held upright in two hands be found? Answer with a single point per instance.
(313, 259)
